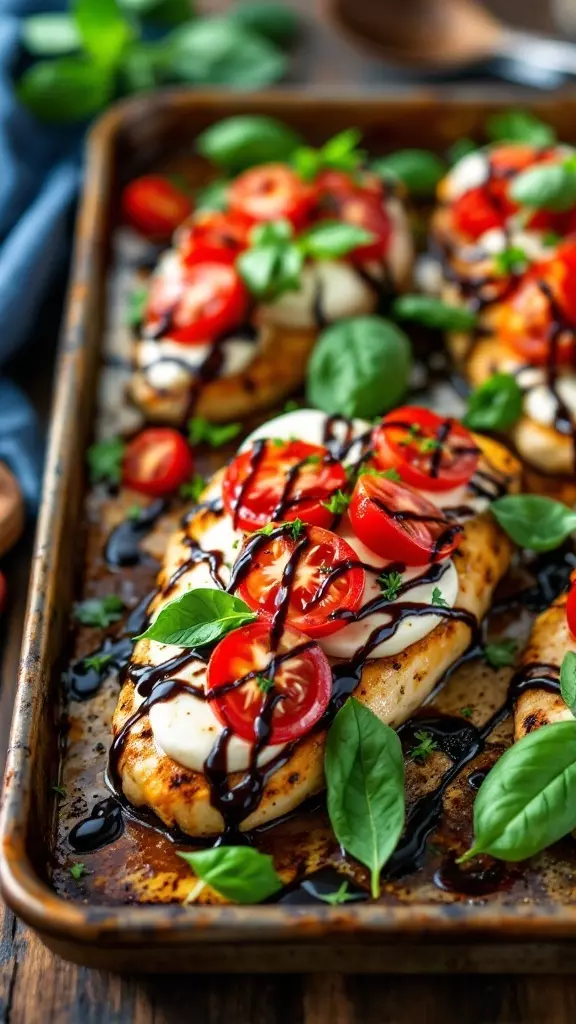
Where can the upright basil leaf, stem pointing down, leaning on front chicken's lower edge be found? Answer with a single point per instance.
(365, 779)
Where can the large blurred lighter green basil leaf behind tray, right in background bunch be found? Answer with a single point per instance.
(215, 52)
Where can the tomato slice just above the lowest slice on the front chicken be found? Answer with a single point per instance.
(327, 577)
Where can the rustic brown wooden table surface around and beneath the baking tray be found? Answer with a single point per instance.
(35, 987)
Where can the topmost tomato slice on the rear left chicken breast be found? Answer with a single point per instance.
(272, 192)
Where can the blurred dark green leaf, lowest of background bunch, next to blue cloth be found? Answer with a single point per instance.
(69, 90)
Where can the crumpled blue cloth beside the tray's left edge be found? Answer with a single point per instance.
(39, 176)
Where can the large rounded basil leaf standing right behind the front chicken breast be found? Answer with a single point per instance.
(359, 367)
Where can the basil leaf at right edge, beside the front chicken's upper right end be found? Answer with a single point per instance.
(534, 522)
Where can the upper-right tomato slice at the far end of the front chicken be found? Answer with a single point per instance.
(429, 452)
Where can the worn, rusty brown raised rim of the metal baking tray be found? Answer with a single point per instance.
(417, 937)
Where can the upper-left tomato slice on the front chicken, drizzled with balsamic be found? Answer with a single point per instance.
(281, 481)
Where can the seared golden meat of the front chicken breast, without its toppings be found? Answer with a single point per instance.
(393, 688)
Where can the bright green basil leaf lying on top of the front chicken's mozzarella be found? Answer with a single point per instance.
(198, 618)
